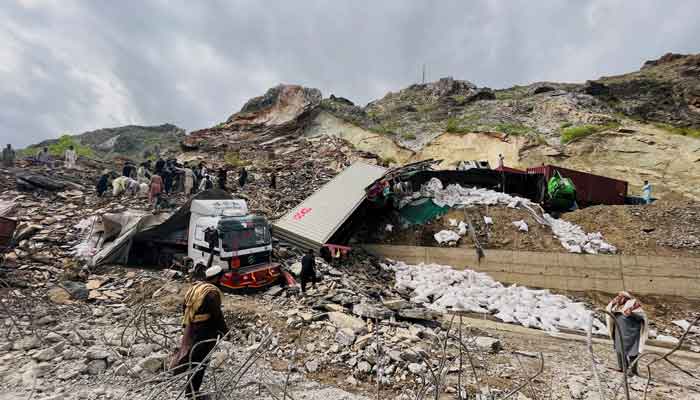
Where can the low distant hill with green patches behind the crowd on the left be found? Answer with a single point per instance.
(131, 141)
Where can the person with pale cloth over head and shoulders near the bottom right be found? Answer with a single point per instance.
(633, 331)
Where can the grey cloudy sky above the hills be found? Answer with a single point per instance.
(72, 66)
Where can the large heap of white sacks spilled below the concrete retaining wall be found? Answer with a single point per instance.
(442, 288)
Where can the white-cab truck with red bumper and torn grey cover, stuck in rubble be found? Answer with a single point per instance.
(211, 228)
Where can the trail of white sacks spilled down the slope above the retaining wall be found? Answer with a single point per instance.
(571, 236)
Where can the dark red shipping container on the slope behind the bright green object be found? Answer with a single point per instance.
(590, 189)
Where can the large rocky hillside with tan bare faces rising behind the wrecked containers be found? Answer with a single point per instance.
(639, 126)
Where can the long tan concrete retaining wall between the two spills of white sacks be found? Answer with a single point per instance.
(579, 272)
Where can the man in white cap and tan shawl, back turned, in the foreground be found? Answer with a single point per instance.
(203, 323)
